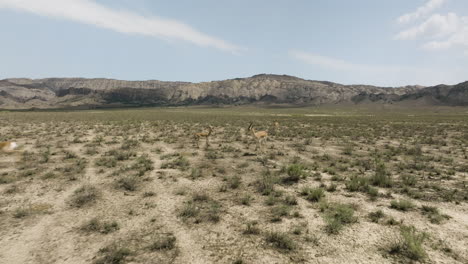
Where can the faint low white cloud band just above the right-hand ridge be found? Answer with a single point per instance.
(386, 75)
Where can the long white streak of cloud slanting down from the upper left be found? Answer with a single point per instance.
(90, 12)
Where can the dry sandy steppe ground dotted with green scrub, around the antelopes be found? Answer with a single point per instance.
(328, 186)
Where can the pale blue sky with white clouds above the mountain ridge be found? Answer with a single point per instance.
(376, 42)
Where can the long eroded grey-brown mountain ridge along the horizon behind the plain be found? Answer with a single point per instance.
(258, 89)
